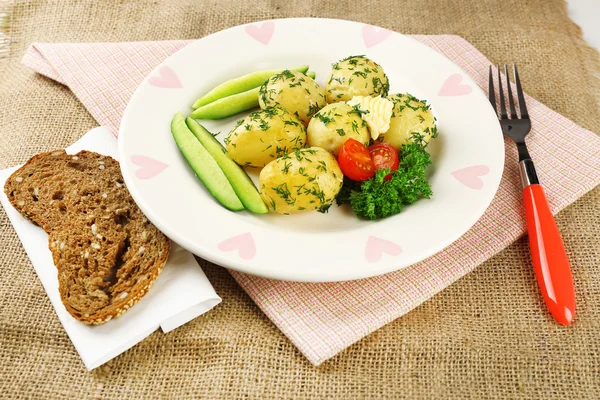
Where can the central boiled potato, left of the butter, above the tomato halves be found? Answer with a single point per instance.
(334, 124)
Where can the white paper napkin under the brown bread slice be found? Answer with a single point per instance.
(181, 293)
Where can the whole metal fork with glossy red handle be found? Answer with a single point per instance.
(548, 254)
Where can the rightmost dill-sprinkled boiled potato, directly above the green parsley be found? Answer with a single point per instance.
(411, 120)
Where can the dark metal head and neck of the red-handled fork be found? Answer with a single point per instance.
(513, 126)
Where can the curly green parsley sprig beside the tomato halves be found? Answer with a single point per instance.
(377, 198)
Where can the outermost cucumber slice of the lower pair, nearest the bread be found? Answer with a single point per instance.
(204, 165)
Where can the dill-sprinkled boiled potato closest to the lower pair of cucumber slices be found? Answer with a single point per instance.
(265, 135)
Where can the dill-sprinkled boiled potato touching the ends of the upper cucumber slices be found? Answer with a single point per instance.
(295, 92)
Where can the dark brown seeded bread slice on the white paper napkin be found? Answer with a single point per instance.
(107, 253)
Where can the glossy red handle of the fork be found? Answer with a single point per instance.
(550, 260)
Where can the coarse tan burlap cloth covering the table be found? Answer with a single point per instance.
(487, 336)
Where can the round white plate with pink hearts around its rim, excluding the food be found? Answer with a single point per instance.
(468, 155)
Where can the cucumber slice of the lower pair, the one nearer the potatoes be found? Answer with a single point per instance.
(239, 179)
